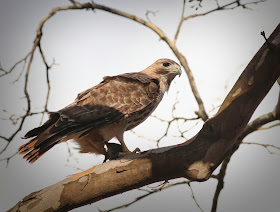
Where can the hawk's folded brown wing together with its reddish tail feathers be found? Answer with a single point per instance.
(113, 100)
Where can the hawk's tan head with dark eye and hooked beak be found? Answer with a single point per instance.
(164, 70)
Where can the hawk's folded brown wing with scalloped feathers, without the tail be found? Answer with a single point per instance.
(108, 102)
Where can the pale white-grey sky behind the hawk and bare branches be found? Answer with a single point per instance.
(88, 45)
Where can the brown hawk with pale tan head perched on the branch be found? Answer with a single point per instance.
(119, 103)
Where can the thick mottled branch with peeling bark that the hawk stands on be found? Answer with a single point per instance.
(195, 159)
